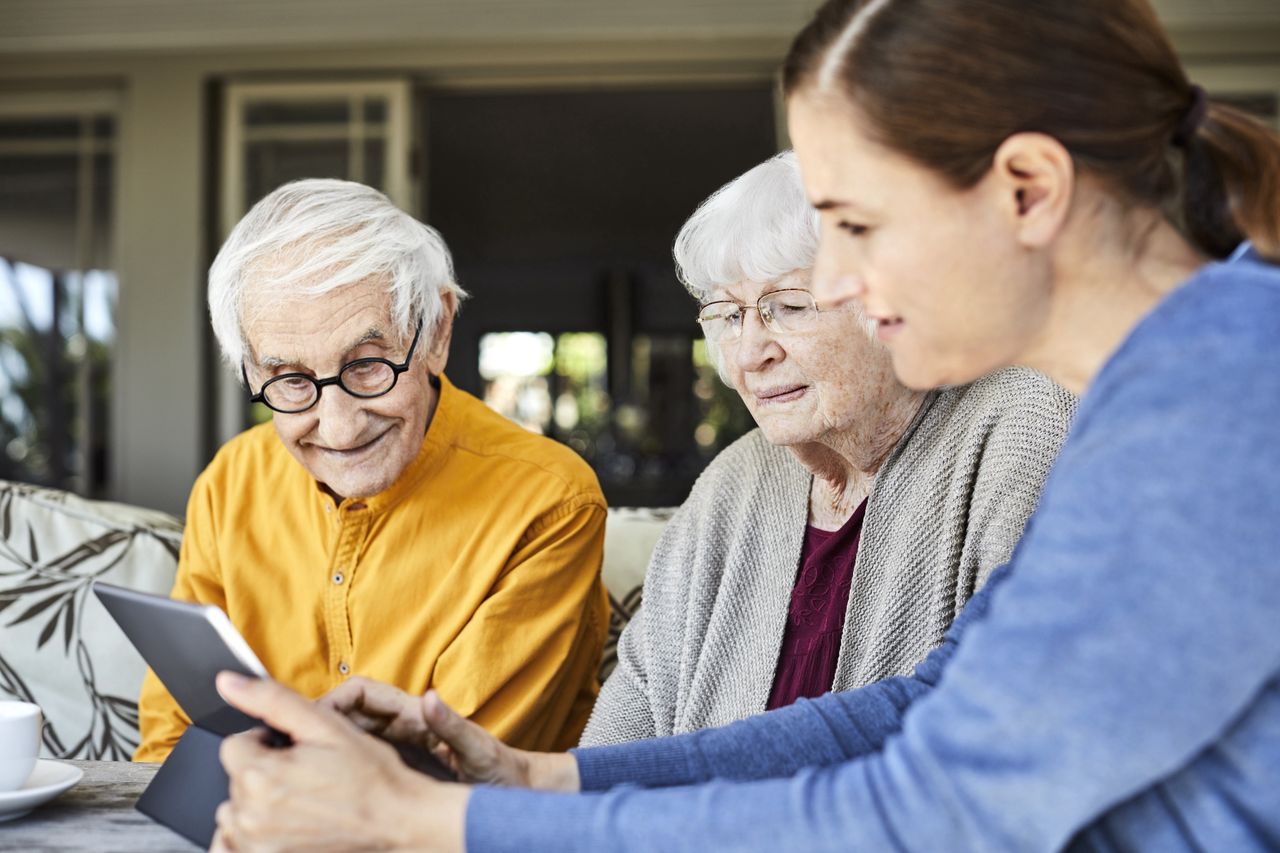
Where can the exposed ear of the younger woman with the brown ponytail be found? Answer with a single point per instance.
(1035, 175)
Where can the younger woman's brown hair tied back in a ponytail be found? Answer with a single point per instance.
(947, 83)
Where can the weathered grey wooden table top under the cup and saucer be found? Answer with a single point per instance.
(97, 815)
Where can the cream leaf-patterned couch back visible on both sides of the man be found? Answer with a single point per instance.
(61, 650)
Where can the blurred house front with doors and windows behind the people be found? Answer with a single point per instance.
(557, 144)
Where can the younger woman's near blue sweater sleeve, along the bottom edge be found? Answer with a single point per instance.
(1149, 568)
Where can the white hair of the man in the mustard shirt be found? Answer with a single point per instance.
(310, 238)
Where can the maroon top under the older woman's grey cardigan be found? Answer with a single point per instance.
(816, 623)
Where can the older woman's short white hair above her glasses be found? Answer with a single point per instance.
(756, 229)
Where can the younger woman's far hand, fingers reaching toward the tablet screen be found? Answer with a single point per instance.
(429, 724)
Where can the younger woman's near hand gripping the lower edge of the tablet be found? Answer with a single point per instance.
(336, 788)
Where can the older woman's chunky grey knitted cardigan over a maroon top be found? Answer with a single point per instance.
(947, 509)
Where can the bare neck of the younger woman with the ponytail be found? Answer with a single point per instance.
(1104, 288)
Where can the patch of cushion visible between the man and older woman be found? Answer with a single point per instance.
(630, 536)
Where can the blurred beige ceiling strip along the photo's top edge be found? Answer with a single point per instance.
(31, 28)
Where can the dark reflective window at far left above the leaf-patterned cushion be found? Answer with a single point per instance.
(58, 298)
